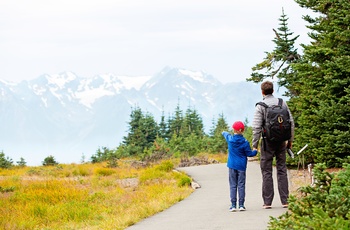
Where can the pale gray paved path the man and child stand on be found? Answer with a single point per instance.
(207, 207)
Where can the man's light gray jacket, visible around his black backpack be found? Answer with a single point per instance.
(259, 116)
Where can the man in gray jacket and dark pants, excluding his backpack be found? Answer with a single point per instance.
(270, 149)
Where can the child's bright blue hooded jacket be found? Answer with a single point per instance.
(238, 151)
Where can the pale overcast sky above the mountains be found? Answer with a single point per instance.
(224, 38)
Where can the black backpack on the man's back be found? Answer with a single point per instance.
(277, 124)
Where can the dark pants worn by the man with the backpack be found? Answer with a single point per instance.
(269, 150)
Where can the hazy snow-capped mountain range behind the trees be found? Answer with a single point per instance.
(69, 117)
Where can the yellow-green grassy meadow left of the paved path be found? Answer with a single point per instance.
(87, 196)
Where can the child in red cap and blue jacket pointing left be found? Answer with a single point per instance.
(238, 151)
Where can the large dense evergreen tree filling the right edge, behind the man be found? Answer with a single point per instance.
(323, 83)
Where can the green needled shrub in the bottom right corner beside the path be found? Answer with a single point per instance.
(322, 206)
